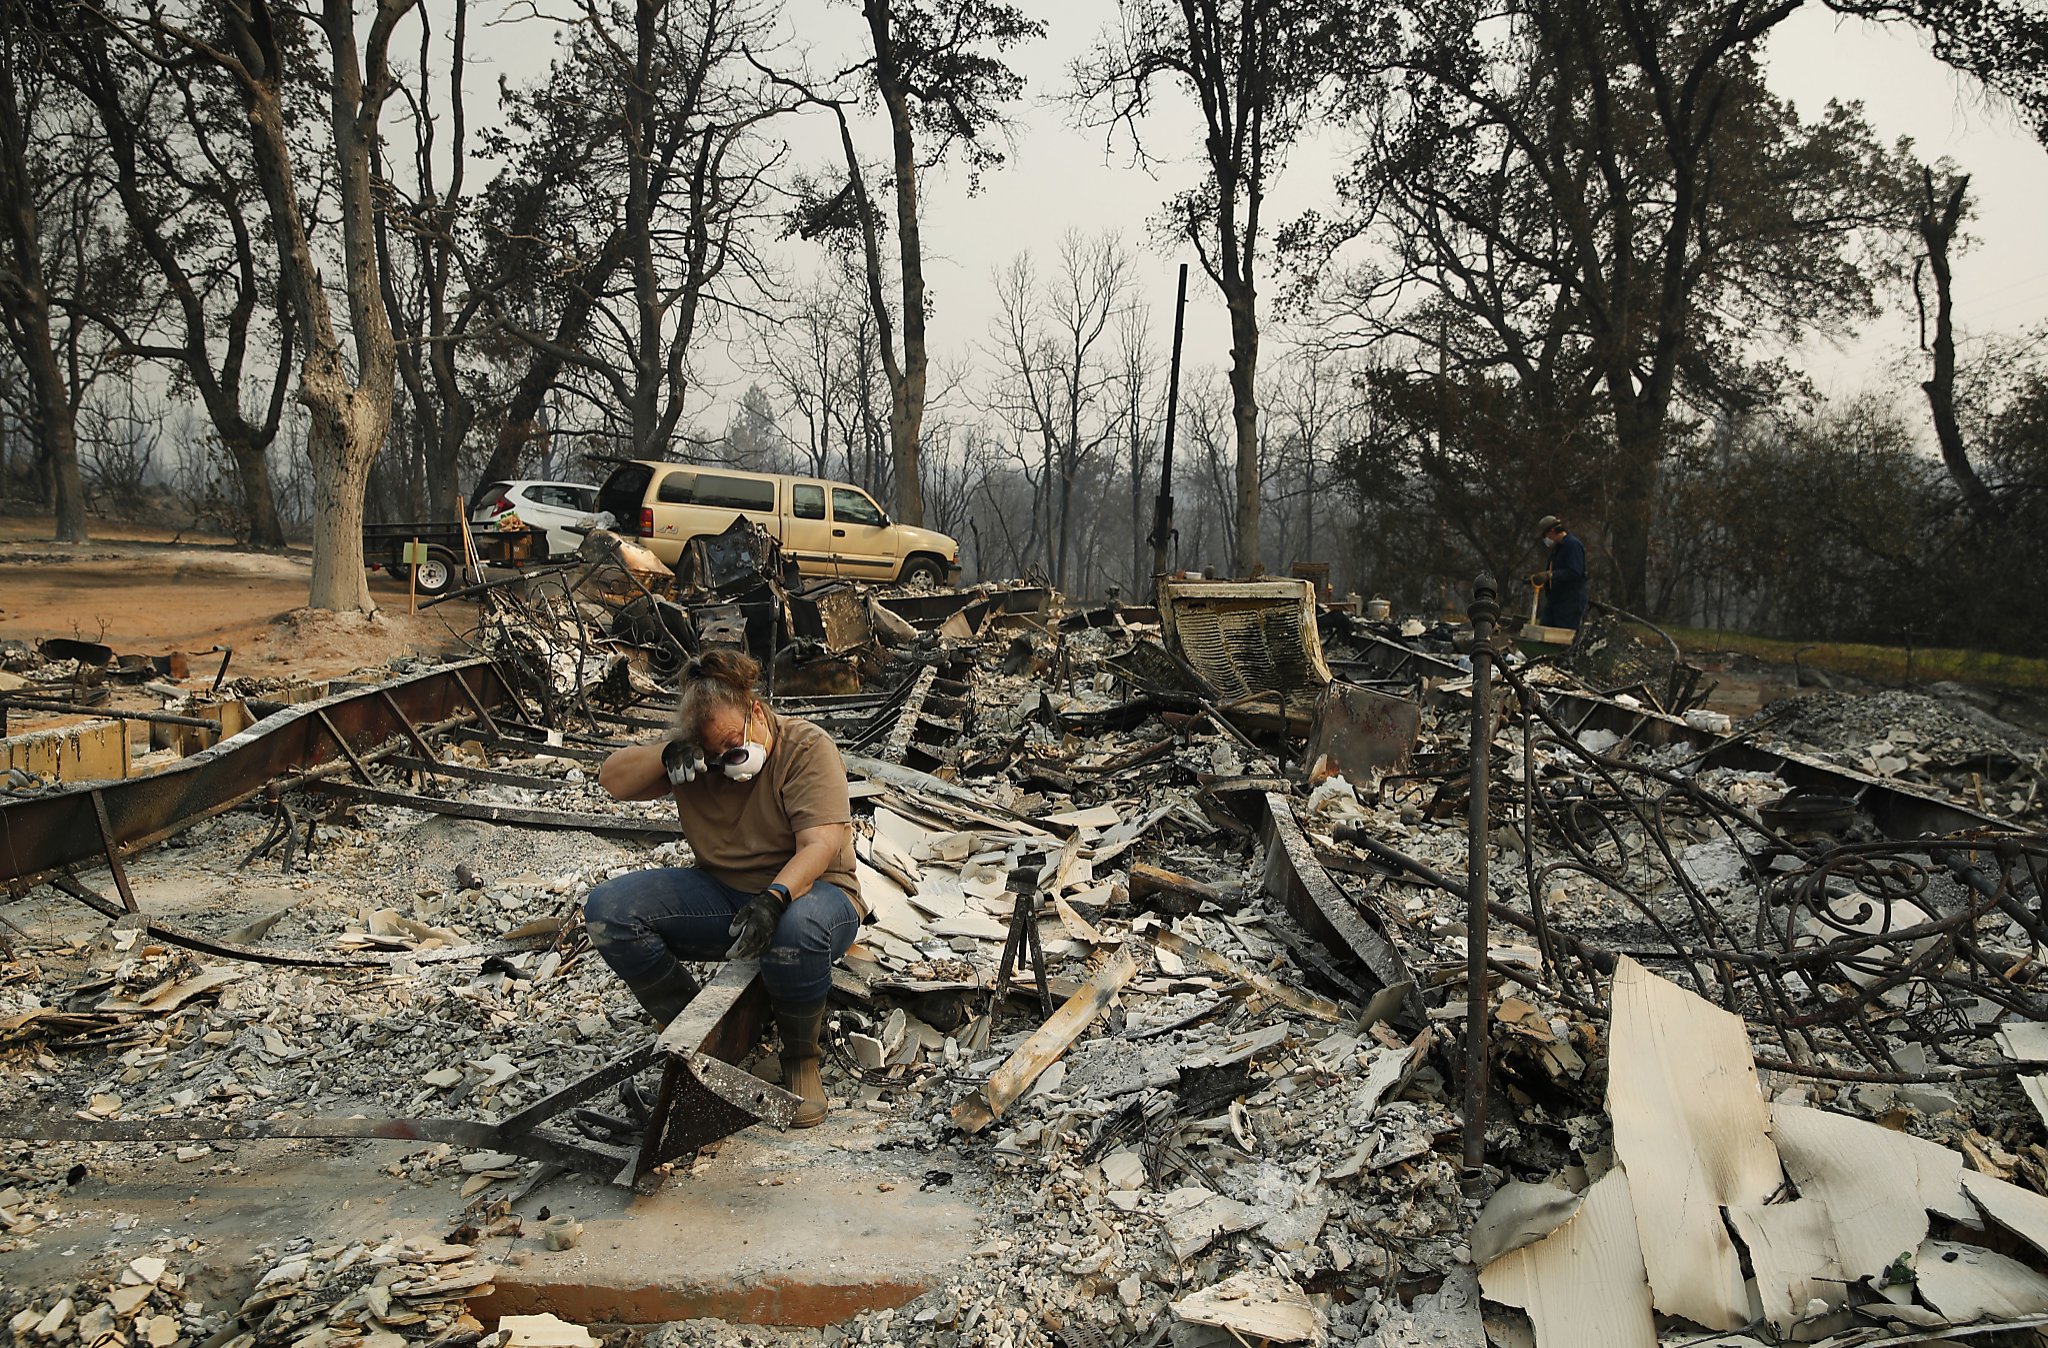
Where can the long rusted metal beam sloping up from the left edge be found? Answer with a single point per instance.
(46, 835)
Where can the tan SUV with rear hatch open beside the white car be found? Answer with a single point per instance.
(828, 528)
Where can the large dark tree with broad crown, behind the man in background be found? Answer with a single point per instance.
(1609, 214)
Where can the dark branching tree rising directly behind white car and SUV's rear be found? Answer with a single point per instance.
(630, 214)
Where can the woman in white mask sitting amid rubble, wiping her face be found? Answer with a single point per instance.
(765, 808)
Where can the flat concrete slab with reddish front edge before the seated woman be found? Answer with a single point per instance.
(775, 1228)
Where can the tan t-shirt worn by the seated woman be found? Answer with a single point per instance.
(746, 833)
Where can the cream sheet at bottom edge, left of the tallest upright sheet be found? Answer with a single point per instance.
(1584, 1286)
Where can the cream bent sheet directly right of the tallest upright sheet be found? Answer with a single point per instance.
(1877, 1185)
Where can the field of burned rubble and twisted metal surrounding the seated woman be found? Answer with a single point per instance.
(1160, 1034)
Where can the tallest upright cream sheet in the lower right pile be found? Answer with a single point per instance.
(1693, 1132)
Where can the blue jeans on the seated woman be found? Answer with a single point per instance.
(644, 923)
